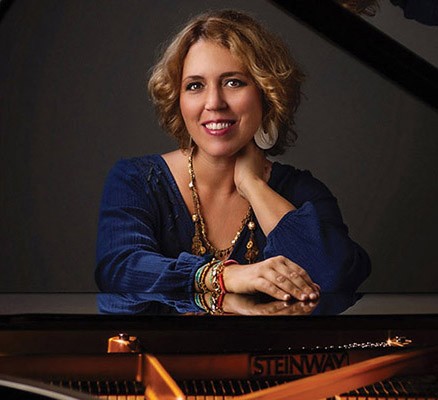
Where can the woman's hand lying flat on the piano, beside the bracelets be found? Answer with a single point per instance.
(278, 277)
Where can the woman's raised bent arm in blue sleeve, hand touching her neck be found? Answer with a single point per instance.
(302, 222)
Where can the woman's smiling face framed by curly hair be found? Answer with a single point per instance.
(219, 101)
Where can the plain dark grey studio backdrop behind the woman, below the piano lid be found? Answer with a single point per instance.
(73, 101)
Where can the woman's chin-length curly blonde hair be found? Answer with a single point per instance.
(264, 55)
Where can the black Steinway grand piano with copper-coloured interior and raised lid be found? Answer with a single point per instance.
(347, 346)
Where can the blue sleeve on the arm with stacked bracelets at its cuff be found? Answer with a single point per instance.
(129, 255)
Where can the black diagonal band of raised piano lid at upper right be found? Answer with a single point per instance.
(369, 45)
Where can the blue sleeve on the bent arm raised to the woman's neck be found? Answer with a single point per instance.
(315, 237)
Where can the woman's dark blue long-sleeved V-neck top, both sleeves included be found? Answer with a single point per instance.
(145, 232)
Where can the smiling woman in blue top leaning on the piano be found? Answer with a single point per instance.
(217, 215)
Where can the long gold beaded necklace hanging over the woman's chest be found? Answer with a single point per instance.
(200, 242)
